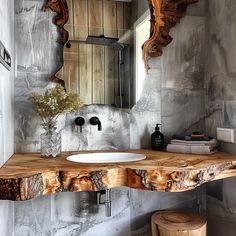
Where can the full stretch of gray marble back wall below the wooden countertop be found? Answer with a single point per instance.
(64, 214)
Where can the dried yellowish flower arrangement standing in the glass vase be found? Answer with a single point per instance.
(53, 103)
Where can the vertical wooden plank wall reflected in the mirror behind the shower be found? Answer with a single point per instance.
(91, 70)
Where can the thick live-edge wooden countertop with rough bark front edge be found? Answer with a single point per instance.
(25, 176)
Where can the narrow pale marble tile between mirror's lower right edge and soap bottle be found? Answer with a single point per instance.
(147, 112)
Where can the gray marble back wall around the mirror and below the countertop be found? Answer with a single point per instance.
(63, 214)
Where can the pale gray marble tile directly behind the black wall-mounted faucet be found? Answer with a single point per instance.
(114, 134)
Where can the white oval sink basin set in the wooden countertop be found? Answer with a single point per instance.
(106, 157)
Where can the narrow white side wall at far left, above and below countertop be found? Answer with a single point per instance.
(6, 108)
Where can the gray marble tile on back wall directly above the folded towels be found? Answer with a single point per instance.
(178, 115)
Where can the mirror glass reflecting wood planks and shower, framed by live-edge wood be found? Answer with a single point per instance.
(103, 57)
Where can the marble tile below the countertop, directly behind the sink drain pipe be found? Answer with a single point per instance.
(69, 219)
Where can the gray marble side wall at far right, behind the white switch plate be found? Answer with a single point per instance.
(220, 88)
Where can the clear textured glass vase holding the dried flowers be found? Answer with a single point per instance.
(50, 143)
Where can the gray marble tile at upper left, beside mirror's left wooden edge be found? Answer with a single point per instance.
(41, 48)
